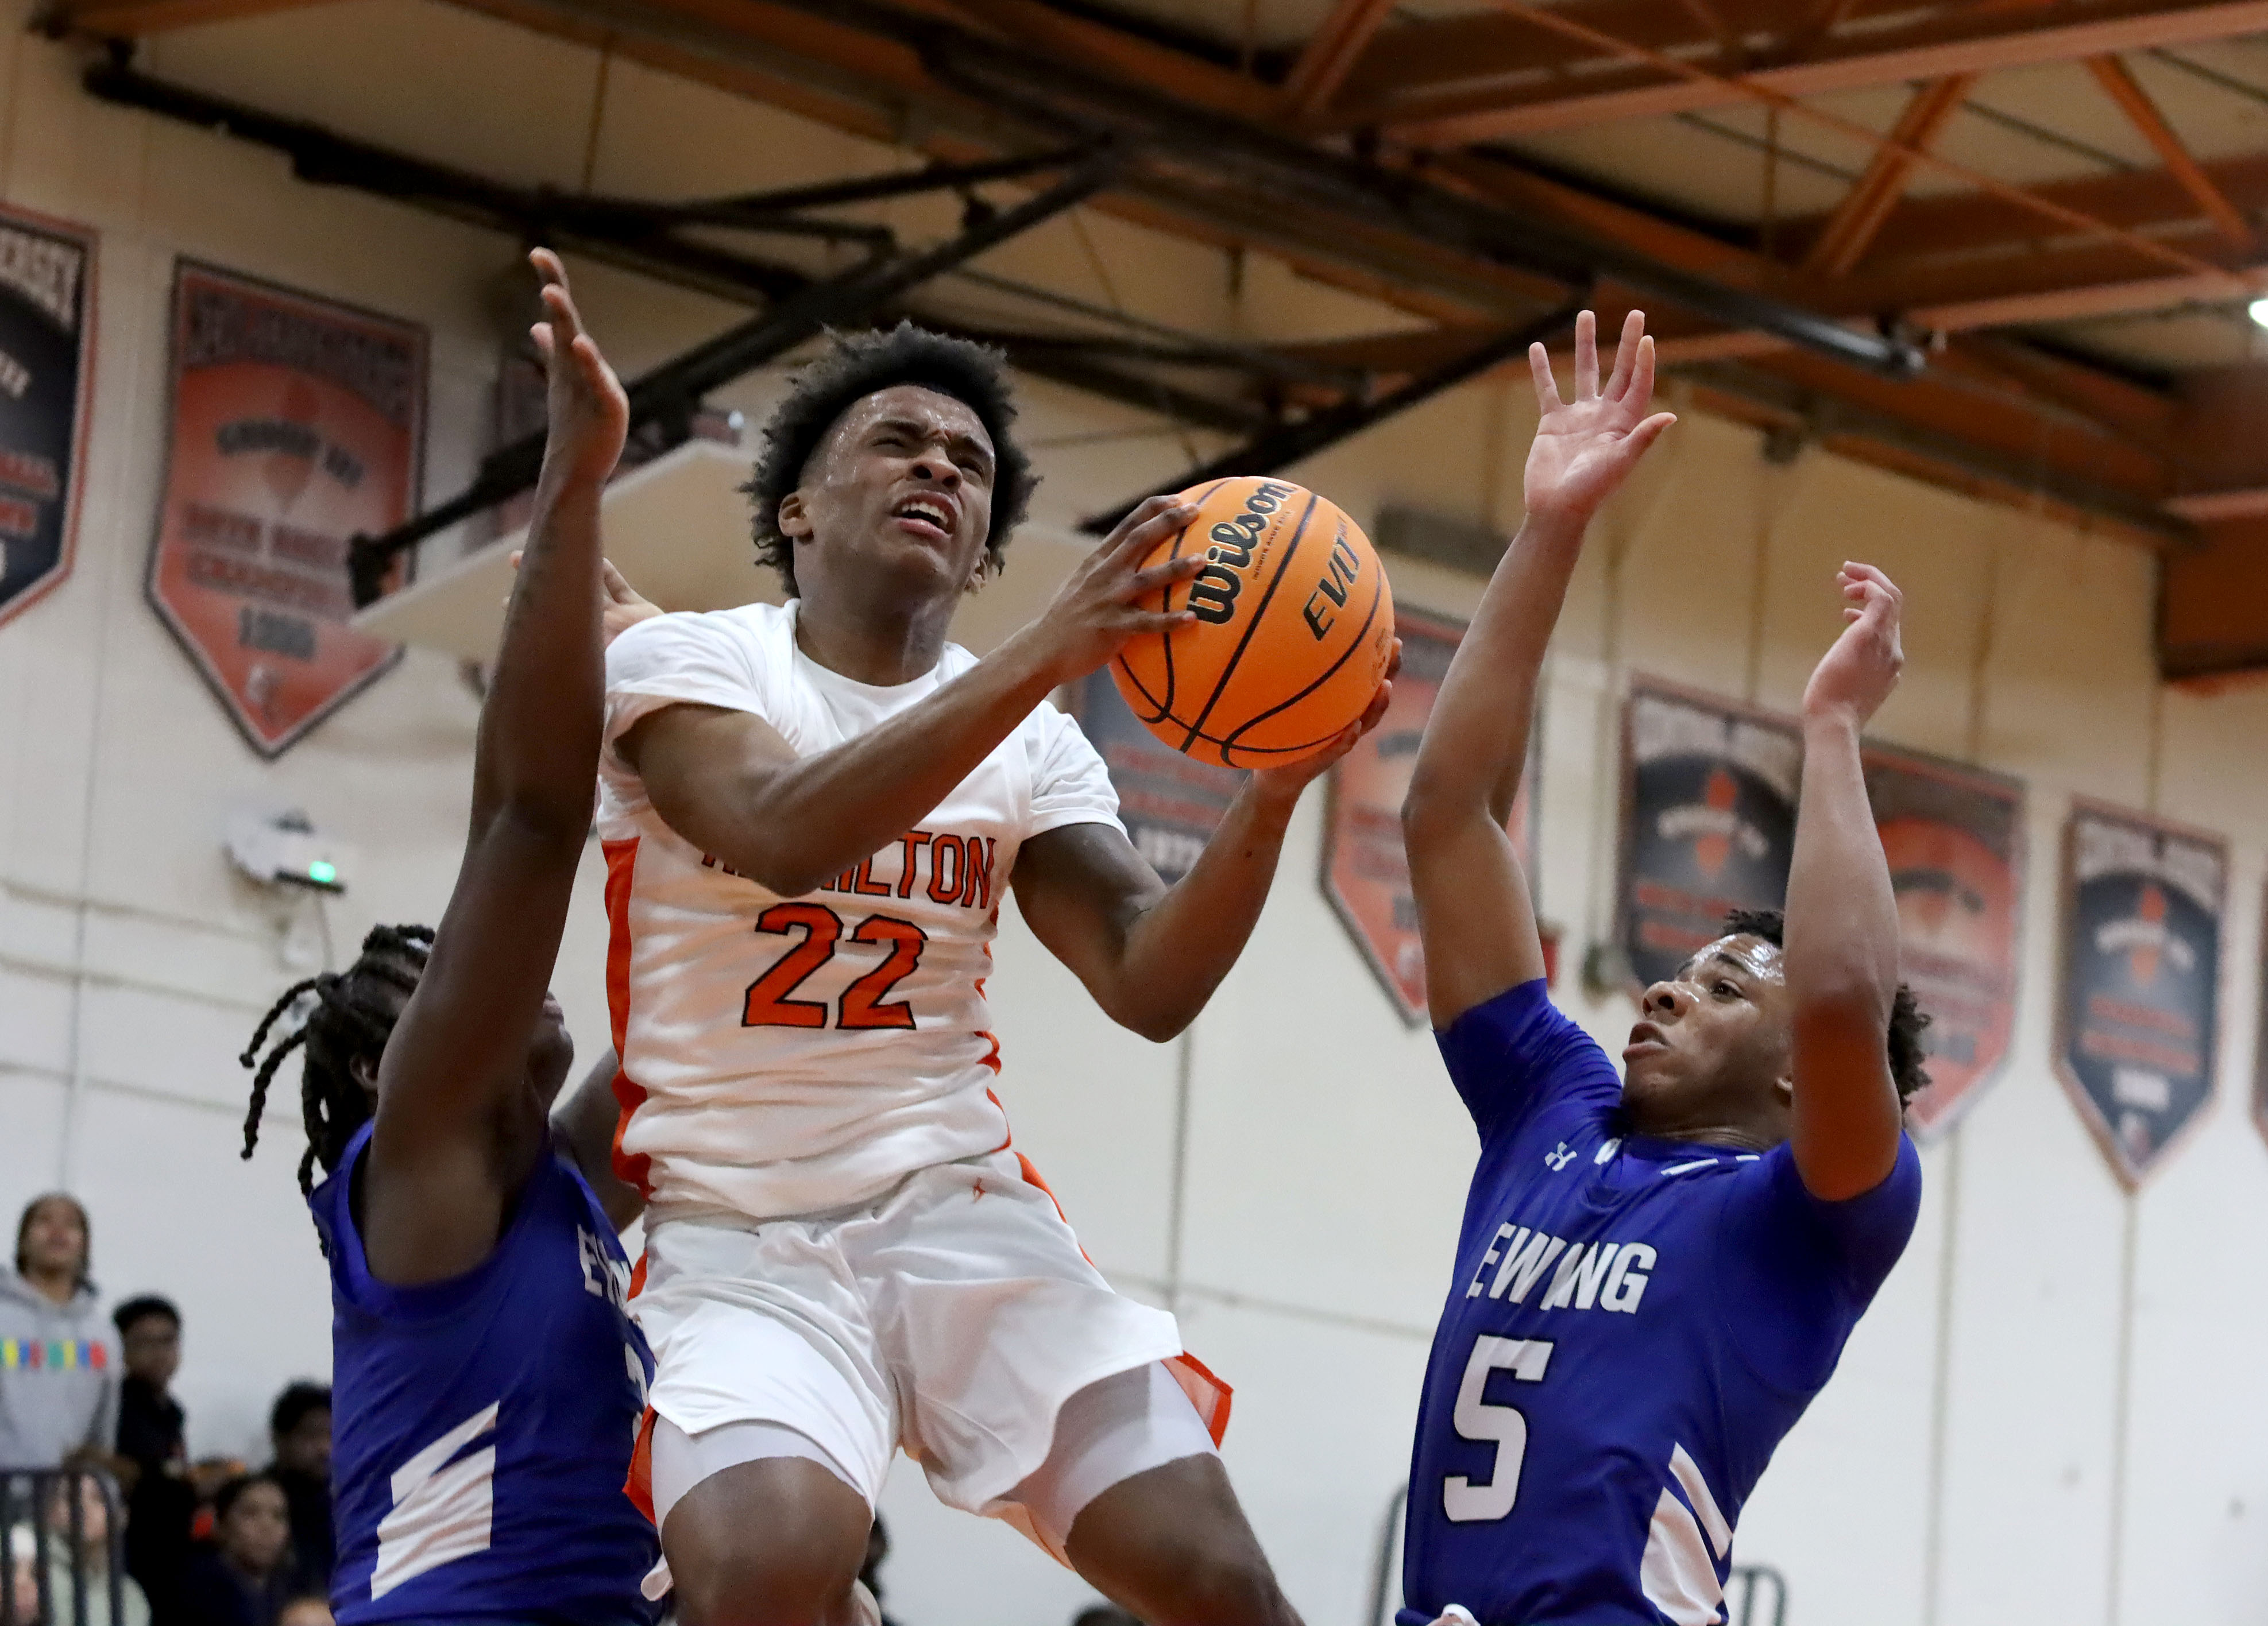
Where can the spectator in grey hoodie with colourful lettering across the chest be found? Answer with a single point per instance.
(58, 1360)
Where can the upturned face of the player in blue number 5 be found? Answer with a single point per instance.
(1711, 1044)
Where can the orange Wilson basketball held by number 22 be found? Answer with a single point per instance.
(1294, 629)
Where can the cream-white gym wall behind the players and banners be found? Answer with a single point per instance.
(2051, 1412)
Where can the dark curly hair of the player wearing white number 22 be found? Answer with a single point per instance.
(854, 369)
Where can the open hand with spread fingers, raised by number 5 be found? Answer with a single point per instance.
(1586, 448)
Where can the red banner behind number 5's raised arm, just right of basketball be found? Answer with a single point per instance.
(1364, 870)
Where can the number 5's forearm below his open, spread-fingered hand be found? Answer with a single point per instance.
(1478, 738)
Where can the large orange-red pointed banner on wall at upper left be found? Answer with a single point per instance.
(296, 425)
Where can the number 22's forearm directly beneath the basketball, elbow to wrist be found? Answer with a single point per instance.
(1183, 947)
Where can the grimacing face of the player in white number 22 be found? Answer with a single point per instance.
(899, 486)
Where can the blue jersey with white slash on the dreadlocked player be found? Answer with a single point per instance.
(484, 1425)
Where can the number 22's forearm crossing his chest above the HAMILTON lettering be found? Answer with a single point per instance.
(795, 827)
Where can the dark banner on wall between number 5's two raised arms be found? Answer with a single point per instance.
(1709, 822)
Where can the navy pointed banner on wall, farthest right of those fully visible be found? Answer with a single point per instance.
(2140, 1001)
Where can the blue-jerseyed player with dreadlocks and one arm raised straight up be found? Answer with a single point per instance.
(489, 1382)
